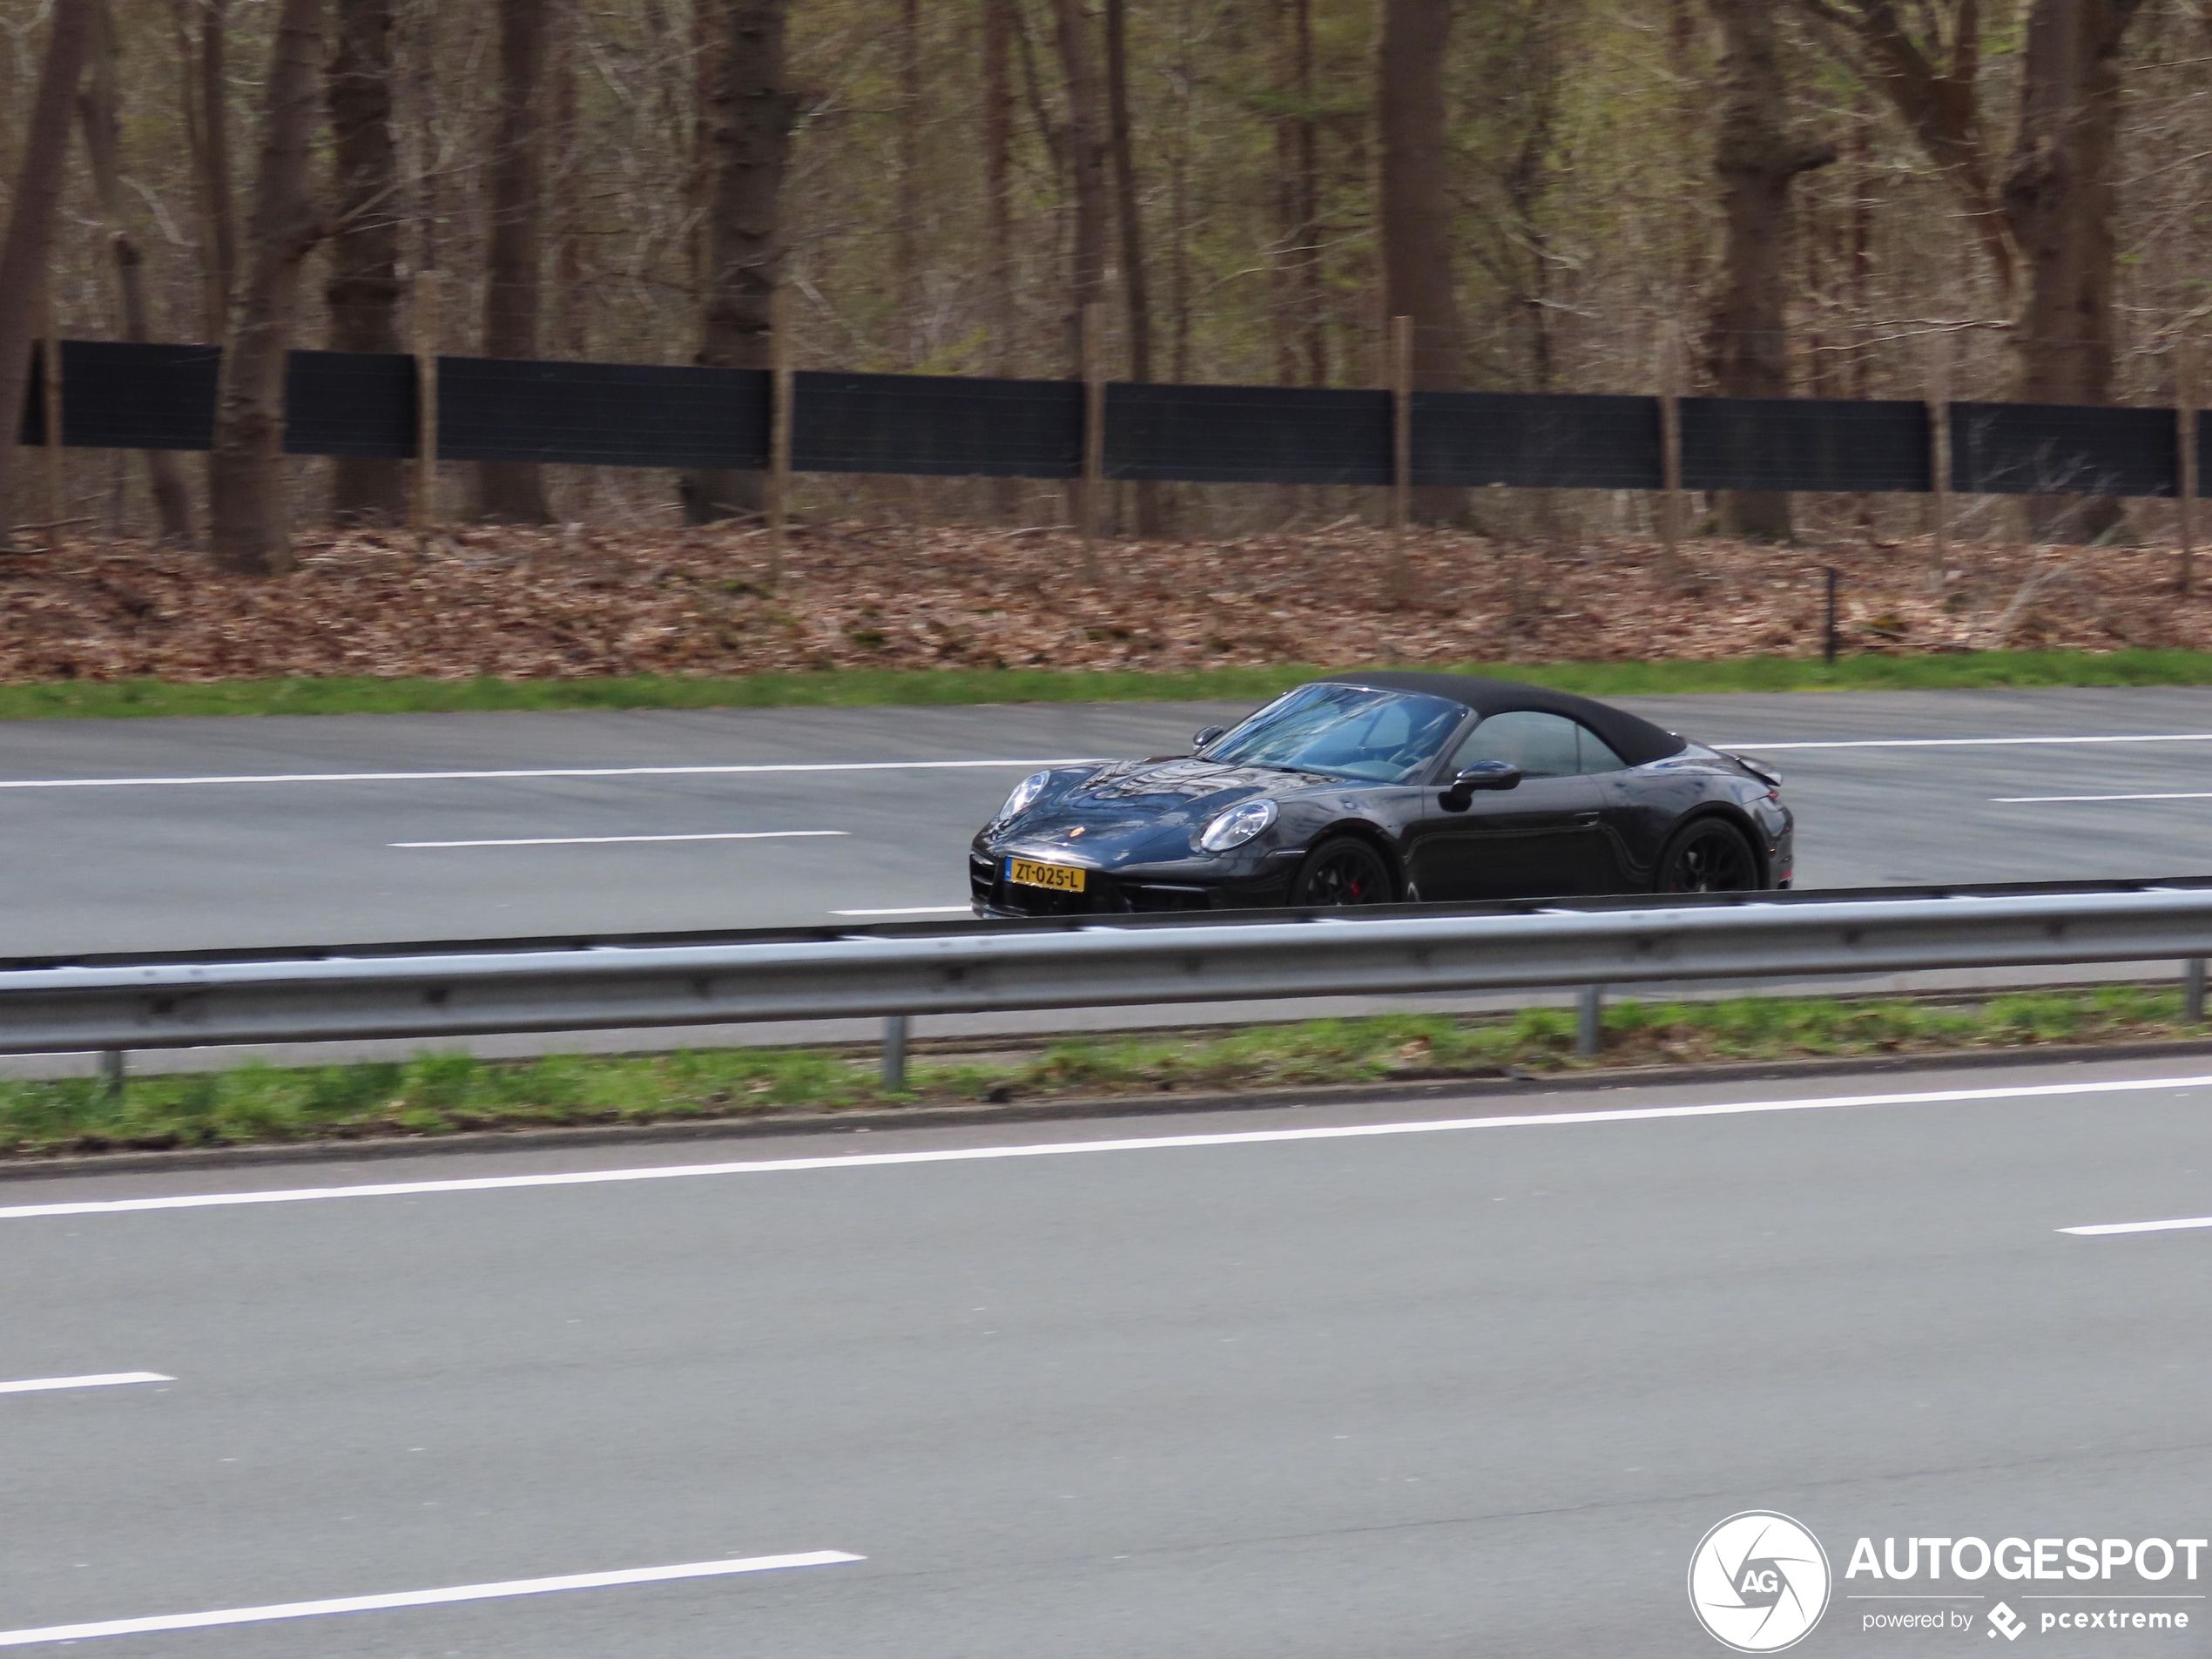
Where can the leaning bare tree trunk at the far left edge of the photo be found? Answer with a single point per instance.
(30, 229)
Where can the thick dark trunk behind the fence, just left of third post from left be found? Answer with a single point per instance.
(751, 136)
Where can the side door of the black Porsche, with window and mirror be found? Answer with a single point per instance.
(1532, 842)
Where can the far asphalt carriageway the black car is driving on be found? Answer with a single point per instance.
(207, 833)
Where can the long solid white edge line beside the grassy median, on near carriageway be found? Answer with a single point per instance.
(1070, 1149)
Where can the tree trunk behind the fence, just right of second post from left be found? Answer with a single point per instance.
(512, 492)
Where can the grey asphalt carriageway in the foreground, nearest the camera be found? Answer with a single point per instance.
(1262, 1395)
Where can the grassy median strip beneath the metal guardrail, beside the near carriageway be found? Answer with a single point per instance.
(446, 1094)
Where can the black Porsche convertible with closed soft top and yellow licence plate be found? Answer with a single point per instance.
(1390, 789)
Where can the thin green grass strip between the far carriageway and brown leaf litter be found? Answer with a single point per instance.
(875, 687)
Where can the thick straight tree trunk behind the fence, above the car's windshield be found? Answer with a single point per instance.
(1417, 207)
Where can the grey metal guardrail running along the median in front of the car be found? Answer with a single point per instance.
(118, 1005)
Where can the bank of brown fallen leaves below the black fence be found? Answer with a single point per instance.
(581, 603)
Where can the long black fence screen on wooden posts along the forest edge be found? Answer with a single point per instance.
(618, 415)
